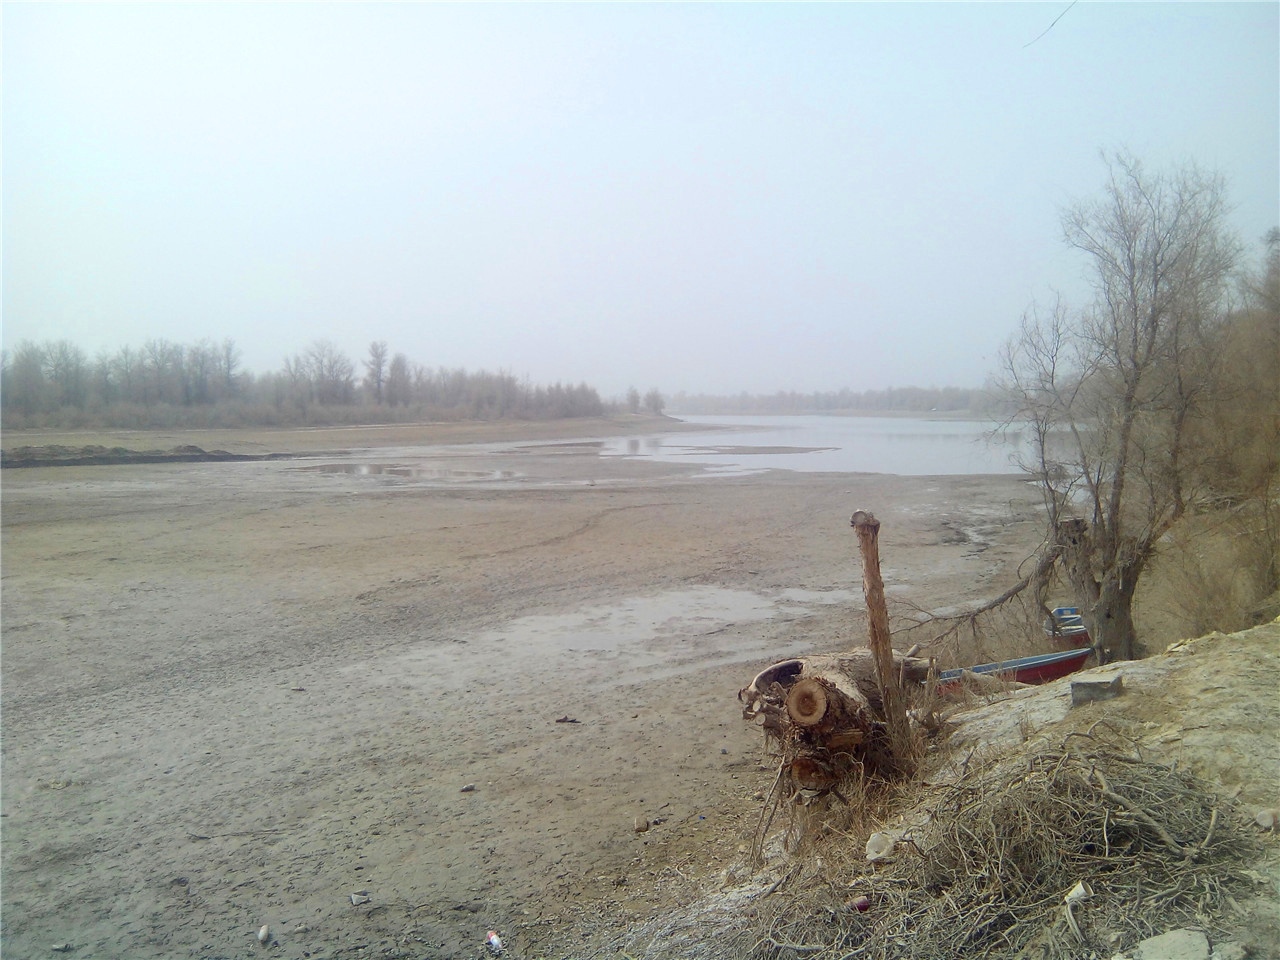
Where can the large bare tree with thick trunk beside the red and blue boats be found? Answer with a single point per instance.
(1110, 394)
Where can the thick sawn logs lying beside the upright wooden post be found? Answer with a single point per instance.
(826, 714)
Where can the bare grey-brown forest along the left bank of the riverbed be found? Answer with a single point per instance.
(168, 385)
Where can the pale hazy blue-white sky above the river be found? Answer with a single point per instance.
(705, 198)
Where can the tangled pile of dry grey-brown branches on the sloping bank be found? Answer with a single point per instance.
(986, 870)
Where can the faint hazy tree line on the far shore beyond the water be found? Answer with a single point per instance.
(907, 400)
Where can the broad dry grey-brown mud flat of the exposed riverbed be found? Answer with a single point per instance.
(252, 693)
